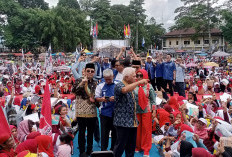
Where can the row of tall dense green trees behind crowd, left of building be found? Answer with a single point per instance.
(29, 24)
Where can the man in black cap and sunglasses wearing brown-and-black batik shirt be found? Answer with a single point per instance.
(86, 112)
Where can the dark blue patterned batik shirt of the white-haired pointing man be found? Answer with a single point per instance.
(125, 108)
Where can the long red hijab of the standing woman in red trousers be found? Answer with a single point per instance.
(142, 98)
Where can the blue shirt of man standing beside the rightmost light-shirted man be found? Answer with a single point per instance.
(168, 69)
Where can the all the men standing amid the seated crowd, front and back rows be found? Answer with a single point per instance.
(114, 96)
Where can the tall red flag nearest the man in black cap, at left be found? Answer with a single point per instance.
(45, 126)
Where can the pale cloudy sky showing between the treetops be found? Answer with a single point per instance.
(161, 10)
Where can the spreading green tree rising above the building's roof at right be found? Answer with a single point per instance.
(197, 14)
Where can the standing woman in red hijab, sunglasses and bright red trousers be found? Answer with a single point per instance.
(145, 98)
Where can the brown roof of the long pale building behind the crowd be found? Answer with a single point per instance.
(189, 32)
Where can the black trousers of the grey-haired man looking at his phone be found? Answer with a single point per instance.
(106, 127)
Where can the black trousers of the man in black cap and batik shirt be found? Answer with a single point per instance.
(90, 124)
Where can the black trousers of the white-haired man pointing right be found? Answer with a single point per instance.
(126, 140)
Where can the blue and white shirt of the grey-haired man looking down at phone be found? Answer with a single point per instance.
(104, 90)
